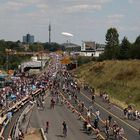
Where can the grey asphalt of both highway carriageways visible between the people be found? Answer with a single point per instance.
(60, 113)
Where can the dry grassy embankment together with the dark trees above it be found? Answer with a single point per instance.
(118, 78)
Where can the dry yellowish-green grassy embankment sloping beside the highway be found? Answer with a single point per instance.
(120, 79)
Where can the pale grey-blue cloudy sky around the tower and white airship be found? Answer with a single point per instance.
(87, 20)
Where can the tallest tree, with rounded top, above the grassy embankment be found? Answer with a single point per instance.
(112, 43)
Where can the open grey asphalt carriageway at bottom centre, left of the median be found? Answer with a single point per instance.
(55, 118)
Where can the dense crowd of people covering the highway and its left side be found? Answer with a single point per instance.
(61, 81)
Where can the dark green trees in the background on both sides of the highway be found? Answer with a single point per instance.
(113, 49)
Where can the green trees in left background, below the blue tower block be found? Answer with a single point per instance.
(12, 61)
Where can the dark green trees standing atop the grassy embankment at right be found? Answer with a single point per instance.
(120, 51)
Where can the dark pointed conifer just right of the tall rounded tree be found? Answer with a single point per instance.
(124, 47)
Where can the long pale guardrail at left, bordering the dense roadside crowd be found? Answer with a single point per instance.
(4, 119)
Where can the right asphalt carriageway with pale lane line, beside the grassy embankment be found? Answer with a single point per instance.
(130, 127)
